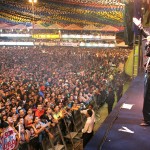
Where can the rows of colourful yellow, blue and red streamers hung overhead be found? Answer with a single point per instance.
(96, 13)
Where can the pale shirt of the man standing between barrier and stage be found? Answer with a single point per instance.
(89, 125)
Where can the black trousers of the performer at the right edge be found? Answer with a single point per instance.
(146, 104)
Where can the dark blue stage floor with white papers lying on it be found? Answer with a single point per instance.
(108, 136)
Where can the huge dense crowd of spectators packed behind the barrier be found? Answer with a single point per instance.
(41, 85)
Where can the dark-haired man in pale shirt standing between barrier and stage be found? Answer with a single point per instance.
(88, 128)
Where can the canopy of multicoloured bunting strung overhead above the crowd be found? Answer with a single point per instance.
(90, 13)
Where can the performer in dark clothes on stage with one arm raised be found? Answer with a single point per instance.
(146, 104)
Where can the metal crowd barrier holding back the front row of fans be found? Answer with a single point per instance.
(66, 132)
